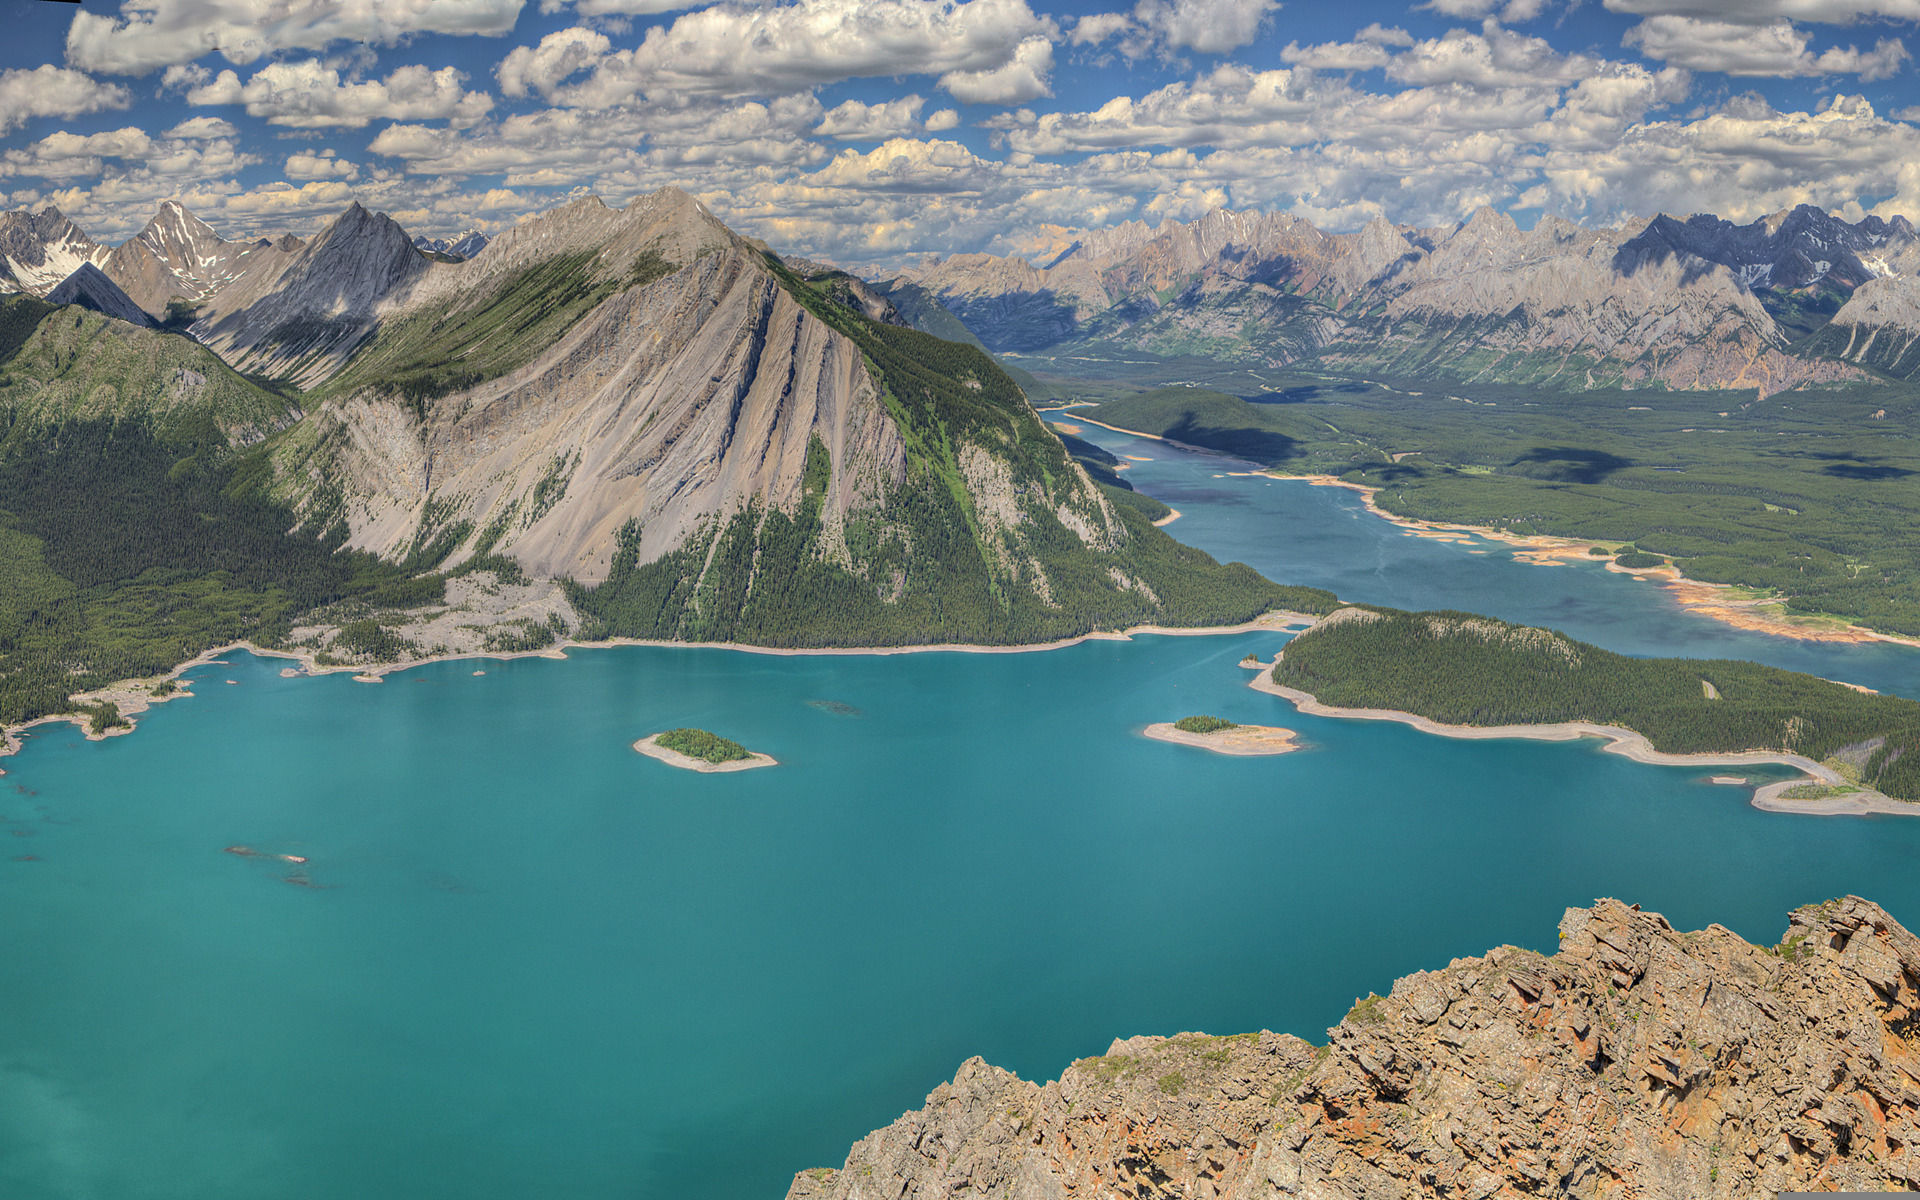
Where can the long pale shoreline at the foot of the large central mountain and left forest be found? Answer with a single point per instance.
(135, 696)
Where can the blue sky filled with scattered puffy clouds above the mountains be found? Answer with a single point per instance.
(875, 132)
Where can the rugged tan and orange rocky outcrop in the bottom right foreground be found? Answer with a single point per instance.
(1639, 1061)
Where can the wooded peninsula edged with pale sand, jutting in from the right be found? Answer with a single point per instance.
(1474, 677)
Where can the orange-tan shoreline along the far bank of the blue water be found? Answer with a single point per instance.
(1543, 550)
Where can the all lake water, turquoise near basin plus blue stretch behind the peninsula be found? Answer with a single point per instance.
(535, 963)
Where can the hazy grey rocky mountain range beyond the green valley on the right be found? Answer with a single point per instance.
(1794, 299)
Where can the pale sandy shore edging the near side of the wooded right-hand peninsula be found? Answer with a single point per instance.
(1627, 744)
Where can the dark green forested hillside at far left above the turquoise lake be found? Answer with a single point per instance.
(130, 539)
